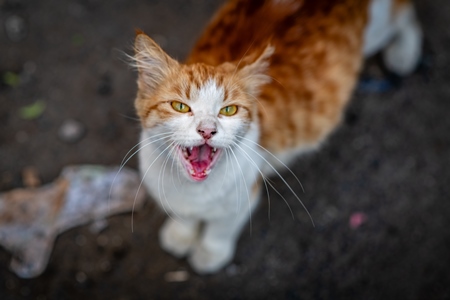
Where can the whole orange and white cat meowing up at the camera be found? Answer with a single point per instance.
(265, 82)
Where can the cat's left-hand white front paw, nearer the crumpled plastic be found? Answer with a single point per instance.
(177, 238)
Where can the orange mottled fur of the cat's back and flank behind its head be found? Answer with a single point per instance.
(314, 67)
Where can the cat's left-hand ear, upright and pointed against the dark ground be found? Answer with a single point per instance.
(152, 62)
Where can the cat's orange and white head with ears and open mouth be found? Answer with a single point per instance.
(205, 110)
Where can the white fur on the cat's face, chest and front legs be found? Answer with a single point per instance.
(223, 201)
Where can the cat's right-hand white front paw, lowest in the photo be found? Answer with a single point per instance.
(211, 259)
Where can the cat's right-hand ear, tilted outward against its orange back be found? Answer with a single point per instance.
(254, 74)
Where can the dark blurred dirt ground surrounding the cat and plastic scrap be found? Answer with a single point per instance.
(389, 162)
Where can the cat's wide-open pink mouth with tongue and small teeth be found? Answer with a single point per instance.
(198, 161)
